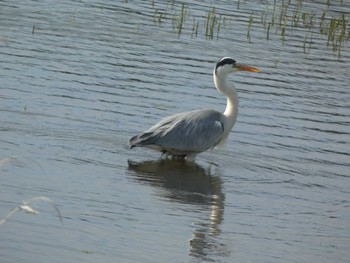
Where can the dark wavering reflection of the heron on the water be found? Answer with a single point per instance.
(189, 183)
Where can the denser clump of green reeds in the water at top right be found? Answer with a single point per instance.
(287, 16)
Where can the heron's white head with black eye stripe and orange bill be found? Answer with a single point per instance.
(228, 65)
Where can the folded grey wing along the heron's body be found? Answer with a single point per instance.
(194, 131)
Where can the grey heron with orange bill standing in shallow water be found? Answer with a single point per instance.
(190, 133)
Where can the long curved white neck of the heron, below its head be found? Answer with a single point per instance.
(230, 91)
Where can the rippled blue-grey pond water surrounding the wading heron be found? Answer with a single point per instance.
(79, 78)
